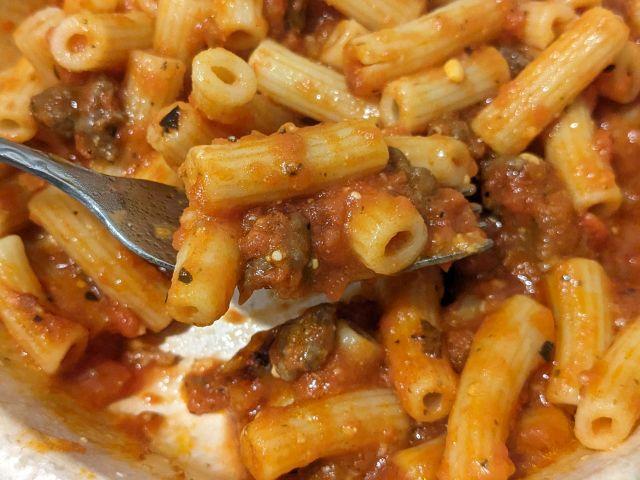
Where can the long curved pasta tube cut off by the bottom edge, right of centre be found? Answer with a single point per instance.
(505, 350)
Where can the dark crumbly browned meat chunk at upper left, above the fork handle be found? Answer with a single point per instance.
(90, 113)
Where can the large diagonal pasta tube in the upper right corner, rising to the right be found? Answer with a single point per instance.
(550, 82)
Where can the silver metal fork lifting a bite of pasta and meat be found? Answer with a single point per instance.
(133, 210)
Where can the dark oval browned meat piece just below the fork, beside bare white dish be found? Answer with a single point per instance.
(304, 343)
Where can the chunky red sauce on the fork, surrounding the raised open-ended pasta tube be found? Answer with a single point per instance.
(333, 263)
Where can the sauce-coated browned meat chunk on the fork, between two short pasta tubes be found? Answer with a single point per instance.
(276, 249)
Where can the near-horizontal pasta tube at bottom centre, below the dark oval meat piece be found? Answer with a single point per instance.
(281, 439)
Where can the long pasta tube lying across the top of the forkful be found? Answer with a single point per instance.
(253, 170)
